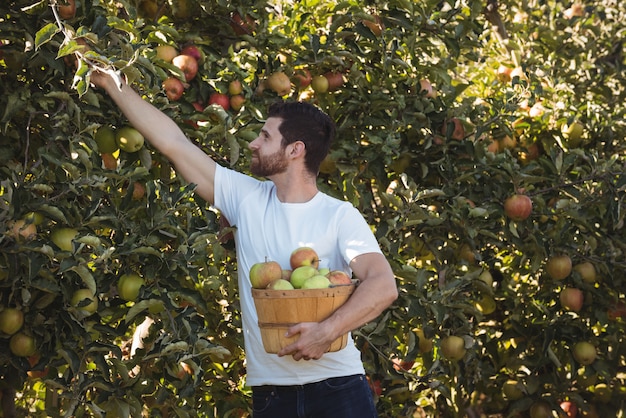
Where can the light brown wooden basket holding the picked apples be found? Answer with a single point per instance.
(280, 309)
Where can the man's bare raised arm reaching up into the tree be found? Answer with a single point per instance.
(163, 134)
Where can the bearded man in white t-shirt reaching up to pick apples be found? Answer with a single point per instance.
(272, 218)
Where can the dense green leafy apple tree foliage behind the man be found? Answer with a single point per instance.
(428, 196)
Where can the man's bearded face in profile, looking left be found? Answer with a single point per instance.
(268, 155)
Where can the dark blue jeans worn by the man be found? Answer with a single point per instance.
(337, 397)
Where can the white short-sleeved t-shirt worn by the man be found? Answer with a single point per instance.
(269, 229)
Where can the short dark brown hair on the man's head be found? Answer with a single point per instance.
(304, 122)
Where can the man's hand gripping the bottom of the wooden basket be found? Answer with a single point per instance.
(312, 344)
